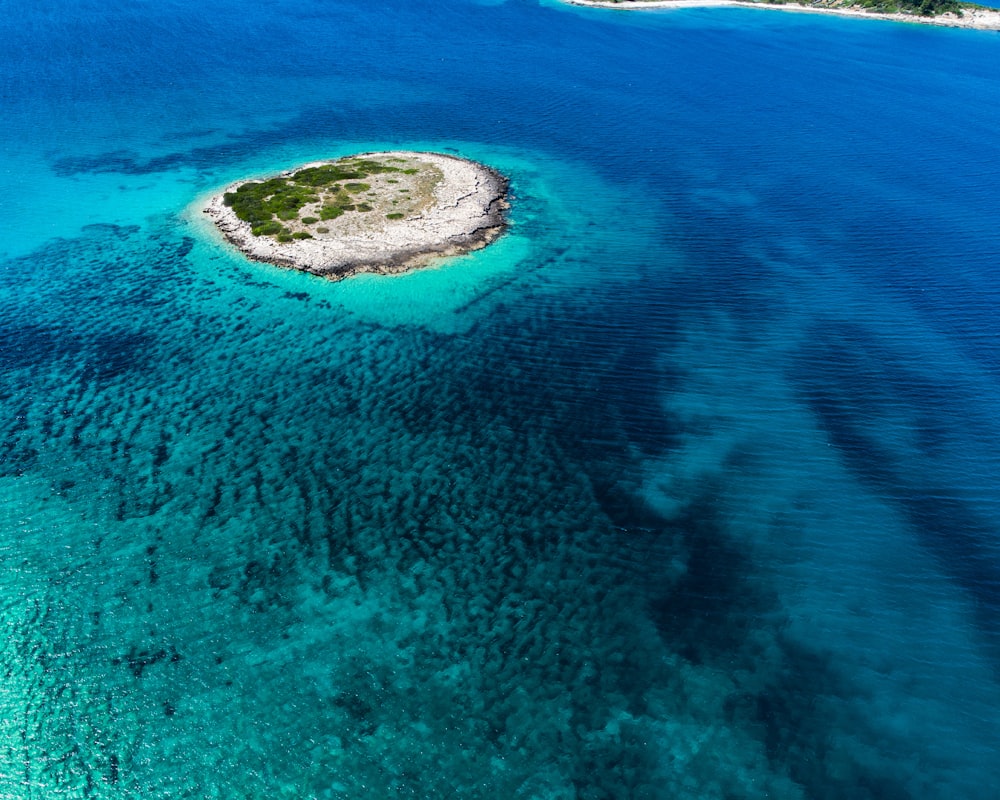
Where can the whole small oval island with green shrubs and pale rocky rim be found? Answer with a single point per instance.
(384, 213)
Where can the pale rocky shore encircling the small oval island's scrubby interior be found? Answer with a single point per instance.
(467, 213)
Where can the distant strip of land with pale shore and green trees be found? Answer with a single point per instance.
(974, 18)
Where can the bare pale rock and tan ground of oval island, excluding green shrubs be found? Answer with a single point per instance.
(429, 206)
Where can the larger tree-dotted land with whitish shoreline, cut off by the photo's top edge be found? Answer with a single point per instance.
(948, 13)
